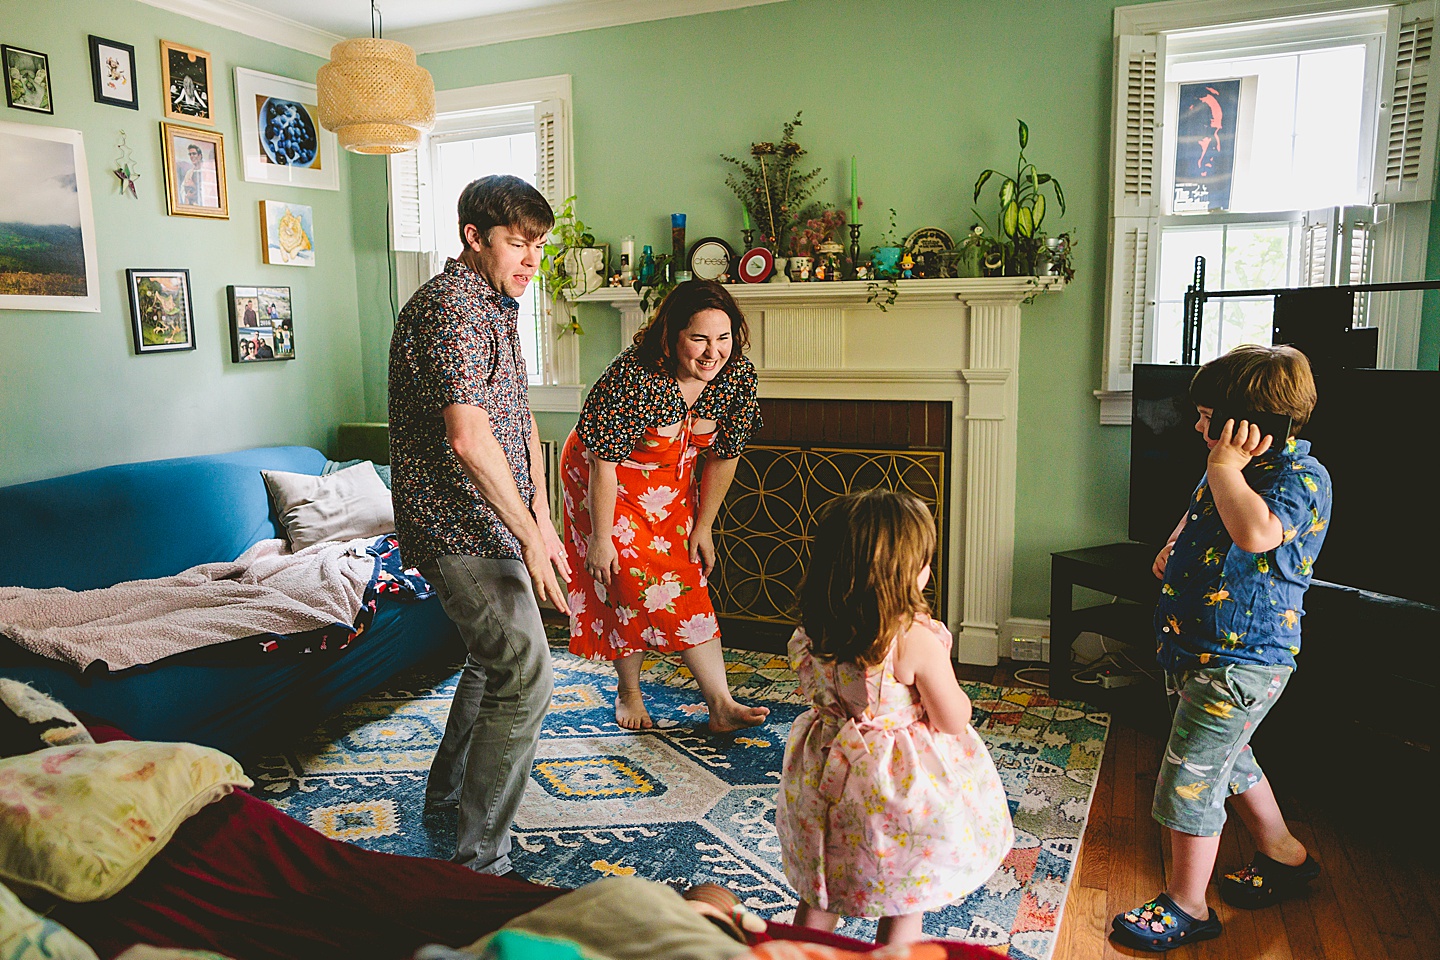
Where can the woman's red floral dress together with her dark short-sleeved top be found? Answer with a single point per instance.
(660, 601)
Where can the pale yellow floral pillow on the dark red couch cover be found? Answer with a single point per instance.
(81, 821)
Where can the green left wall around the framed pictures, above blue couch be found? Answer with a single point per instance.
(73, 392)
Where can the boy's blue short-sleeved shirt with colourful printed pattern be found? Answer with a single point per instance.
(1223, 605)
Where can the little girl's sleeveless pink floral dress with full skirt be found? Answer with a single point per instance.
(878, 814)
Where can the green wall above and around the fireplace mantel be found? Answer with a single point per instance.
(927, 97)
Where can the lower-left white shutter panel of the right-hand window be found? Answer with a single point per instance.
(1134, 274)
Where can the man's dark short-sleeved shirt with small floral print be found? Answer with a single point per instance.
(456, 342)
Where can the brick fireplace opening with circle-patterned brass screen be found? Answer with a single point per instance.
(807, 454)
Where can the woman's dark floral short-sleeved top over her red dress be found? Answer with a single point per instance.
(633, 395)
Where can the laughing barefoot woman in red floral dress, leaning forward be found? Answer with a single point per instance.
(639, 512)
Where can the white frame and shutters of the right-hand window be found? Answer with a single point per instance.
(1138, 155)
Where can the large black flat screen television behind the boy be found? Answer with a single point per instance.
(1373, 430)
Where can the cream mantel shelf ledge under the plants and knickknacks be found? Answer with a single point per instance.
(843, 293)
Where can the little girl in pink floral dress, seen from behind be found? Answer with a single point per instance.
(889, 802)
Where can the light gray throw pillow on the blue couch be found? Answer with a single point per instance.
(343, 506)
